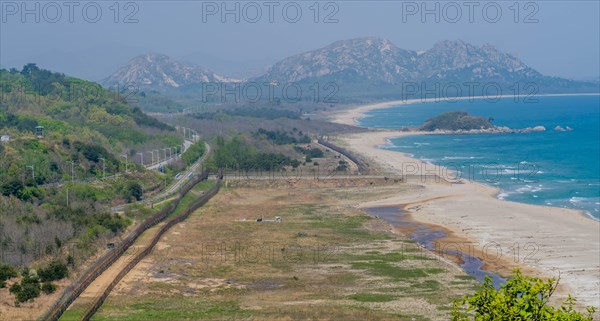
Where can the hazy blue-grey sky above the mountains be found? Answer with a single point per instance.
(559, 38)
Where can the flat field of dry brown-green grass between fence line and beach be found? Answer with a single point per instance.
(326, 261)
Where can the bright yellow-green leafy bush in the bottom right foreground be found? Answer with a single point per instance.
(521, 298)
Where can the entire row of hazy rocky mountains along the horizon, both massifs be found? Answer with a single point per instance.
(362, 66)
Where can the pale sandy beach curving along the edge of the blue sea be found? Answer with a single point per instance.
(555, 242)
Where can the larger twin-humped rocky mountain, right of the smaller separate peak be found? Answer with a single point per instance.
(379, 60)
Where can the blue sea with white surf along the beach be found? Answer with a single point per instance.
(553, 167)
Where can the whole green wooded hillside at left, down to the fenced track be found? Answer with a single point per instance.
(51, 192)
